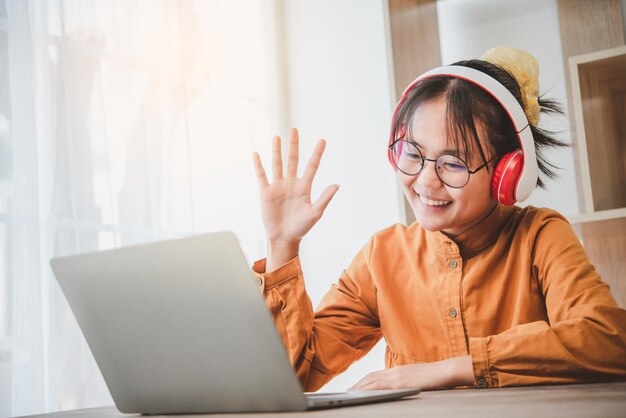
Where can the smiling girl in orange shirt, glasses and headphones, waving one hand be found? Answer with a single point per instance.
(477, 292)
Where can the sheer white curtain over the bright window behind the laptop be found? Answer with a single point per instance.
(120, 122)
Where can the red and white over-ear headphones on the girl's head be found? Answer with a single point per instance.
(516, 174)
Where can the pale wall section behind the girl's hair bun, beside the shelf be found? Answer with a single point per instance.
(468, 28)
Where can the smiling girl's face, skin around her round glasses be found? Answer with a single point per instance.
(438, 207)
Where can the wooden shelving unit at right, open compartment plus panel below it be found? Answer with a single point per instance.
(598, 86)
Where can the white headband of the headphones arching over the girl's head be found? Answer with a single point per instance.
(529, 172)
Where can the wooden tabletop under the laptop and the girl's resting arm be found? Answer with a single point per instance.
(588, 400)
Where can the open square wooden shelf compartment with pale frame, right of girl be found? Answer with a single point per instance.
(599, 101)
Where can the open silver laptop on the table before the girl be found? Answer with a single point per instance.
(180, 326)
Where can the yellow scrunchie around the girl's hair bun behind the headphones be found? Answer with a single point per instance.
(523, 66)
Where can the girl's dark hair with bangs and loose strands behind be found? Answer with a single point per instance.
(467, 103)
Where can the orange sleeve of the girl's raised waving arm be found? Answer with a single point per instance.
(322, 344)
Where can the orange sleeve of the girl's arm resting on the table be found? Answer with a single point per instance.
(584, 339)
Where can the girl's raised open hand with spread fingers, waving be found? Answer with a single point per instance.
(286, 206)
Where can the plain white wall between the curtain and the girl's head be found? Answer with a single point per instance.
(339, 90)
